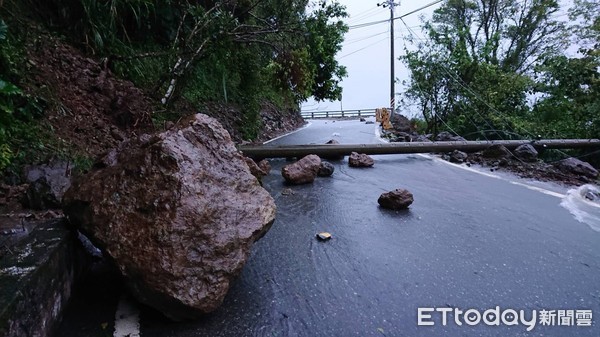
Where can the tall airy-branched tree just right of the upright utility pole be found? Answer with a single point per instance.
(472, 73)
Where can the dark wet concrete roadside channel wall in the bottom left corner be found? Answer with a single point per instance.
(36, 279)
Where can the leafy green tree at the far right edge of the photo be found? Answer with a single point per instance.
(570, 86)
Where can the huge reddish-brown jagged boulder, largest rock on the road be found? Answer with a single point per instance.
(177, 212)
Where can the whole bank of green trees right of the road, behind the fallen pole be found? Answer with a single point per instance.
(508, 69)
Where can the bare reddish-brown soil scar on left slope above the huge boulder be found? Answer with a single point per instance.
(90, 109)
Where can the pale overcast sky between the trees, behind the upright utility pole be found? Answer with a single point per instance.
(366, 54)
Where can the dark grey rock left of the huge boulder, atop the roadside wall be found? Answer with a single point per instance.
(47, 184)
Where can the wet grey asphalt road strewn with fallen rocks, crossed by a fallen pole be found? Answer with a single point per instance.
(468, 241)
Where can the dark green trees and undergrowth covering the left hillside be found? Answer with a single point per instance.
(181, 53)
